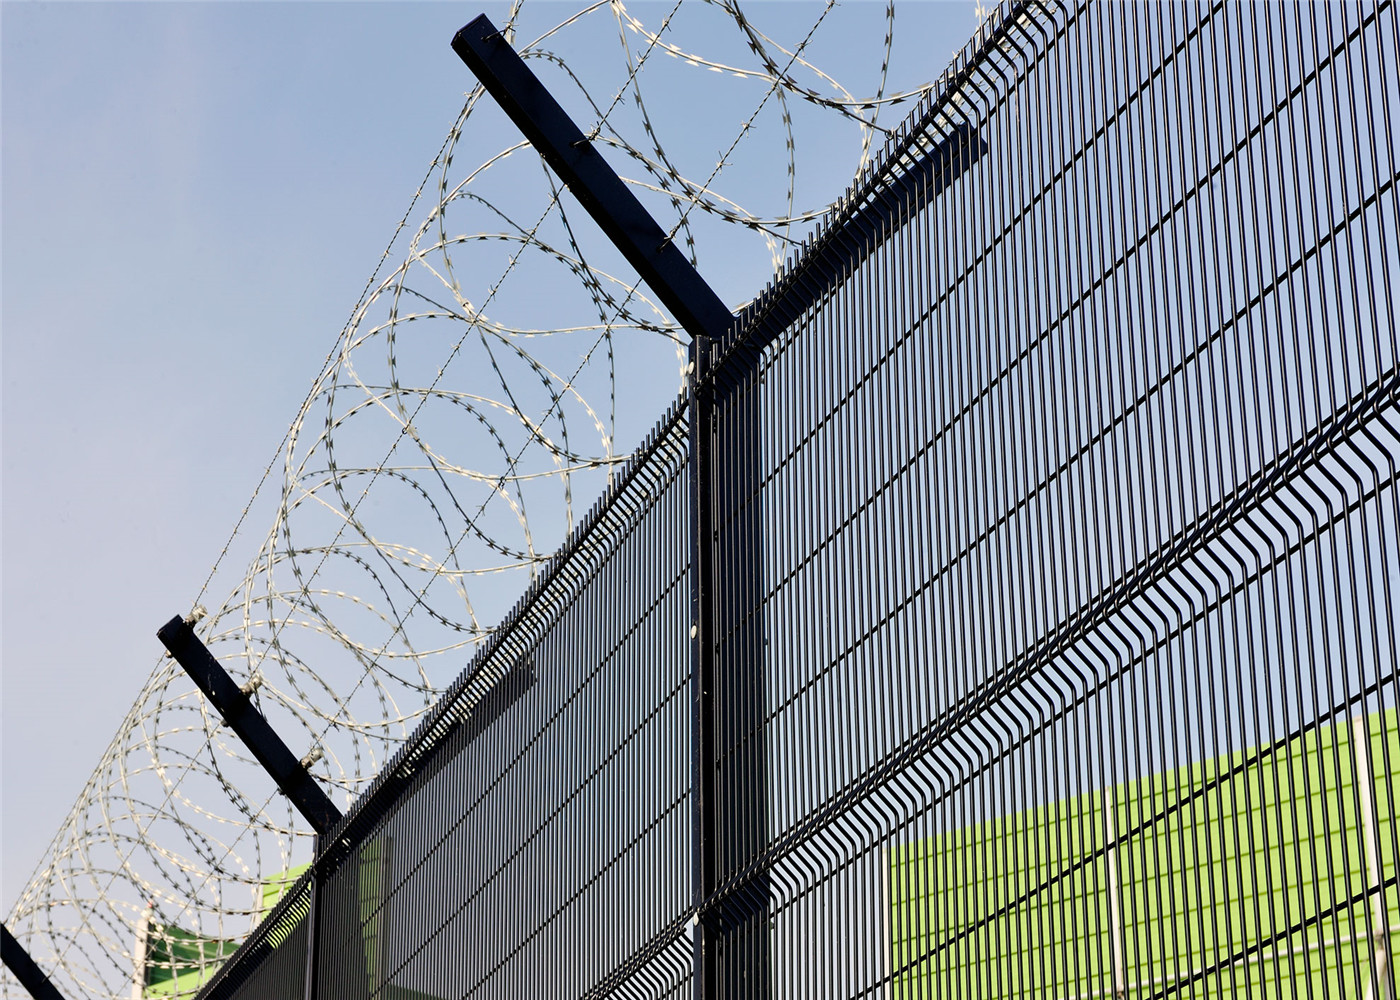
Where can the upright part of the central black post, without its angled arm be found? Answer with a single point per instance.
(729, 688)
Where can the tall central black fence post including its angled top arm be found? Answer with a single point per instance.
(730, 764)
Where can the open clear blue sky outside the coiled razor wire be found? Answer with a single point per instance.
(194, 197)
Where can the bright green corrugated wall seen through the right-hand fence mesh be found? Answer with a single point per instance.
(1233, 854)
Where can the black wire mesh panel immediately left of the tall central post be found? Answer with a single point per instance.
(540, 838)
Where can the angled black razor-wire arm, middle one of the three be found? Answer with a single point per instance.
(244, 719)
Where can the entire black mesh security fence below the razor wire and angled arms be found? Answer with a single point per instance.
(1009, 609)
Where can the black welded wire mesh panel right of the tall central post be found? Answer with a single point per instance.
(1073, 533)
